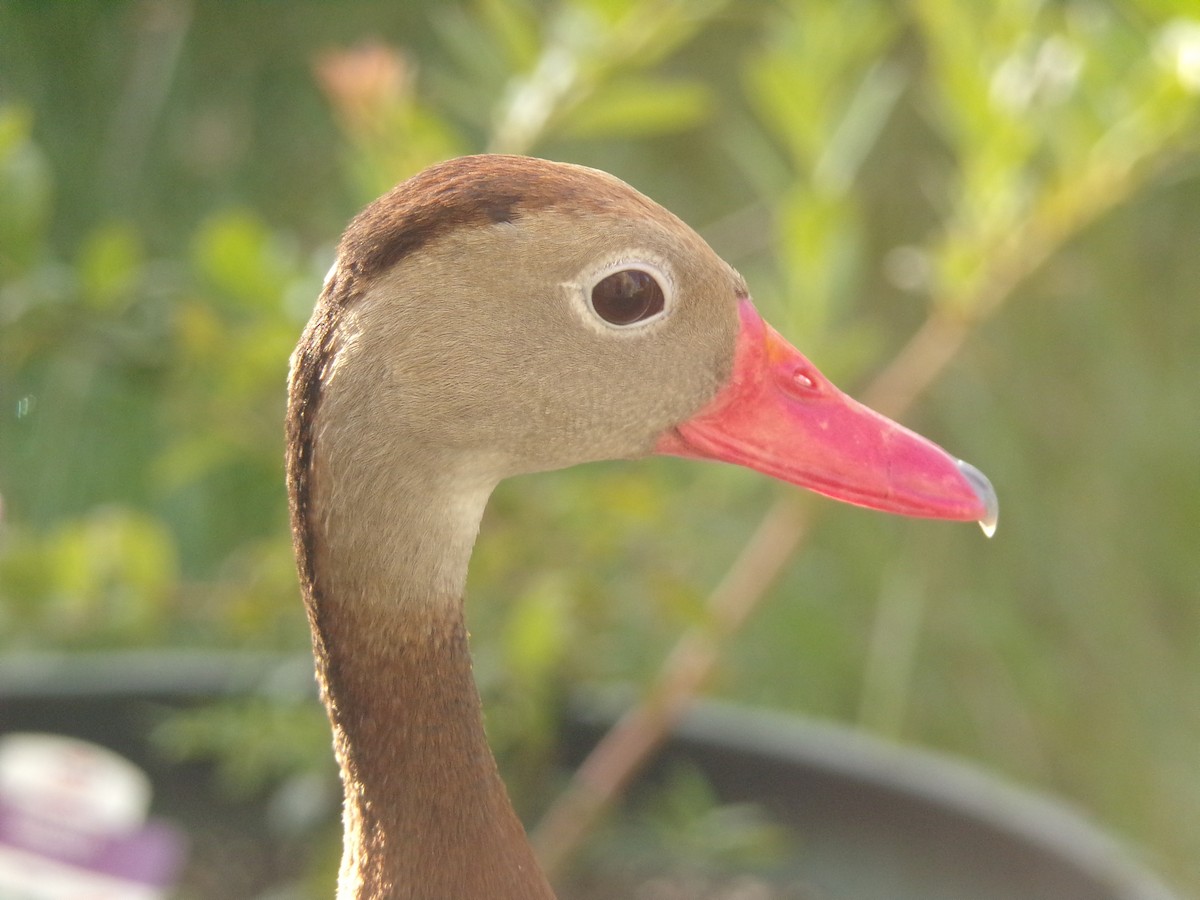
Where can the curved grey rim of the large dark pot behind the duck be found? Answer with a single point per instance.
(829, 769)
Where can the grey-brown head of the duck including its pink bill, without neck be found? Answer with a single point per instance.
(506, 315)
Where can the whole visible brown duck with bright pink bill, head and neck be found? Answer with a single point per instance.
(496, 316)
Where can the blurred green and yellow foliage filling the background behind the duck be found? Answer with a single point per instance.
(172, 179)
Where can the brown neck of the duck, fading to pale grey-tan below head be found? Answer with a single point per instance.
(427, 814)
